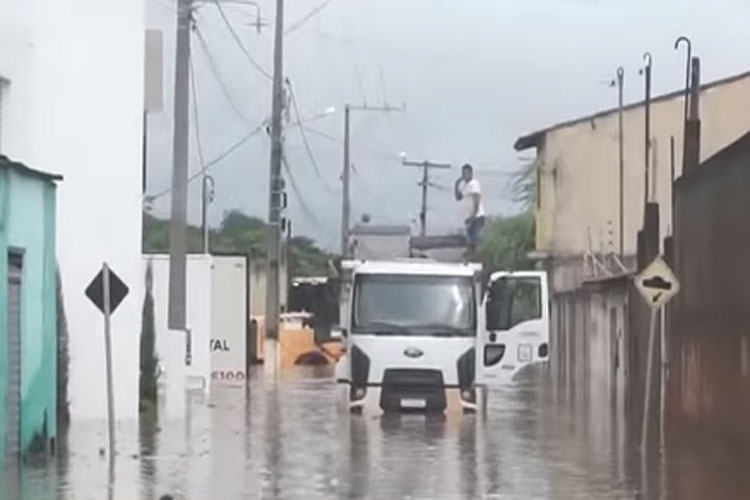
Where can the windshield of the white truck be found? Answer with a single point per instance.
(418, 305)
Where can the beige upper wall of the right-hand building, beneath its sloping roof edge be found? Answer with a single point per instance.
(577, 208)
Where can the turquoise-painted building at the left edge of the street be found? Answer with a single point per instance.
(28, 313)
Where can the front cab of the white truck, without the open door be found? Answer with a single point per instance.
(410, 334)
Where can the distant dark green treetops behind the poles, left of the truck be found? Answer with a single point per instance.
(240, 234)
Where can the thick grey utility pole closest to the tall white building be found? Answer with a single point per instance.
(178, 218)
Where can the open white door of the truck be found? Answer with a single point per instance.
(516, 326)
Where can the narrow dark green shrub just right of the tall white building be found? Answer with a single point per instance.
(149, 375)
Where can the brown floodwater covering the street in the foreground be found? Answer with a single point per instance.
(289, 441)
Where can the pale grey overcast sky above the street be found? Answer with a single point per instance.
(473, 74)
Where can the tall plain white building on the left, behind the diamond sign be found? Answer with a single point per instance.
(72, 102)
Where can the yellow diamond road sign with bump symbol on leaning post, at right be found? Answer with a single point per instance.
(658, 285)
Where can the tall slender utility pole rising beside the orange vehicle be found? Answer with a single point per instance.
(273, 279)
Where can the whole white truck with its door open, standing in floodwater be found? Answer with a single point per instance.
(430, 336)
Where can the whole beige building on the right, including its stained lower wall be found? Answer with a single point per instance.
(599, 322)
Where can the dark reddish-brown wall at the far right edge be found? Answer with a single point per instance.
(709, 334)
